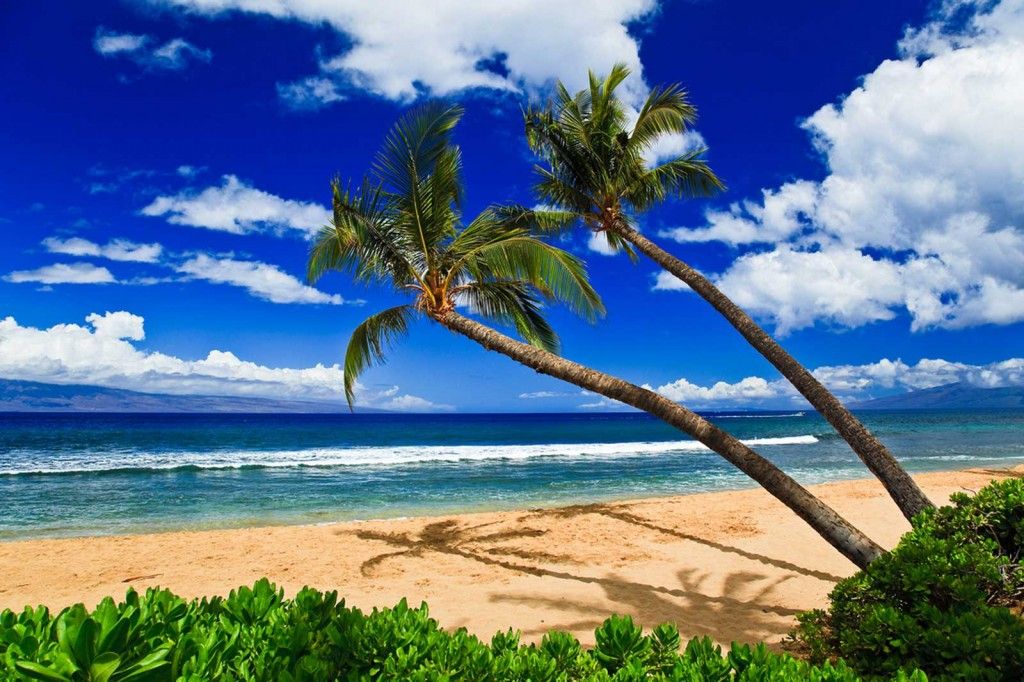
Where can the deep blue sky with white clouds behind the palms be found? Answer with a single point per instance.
(164, 162)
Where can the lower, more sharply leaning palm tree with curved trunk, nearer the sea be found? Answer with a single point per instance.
(402, 228)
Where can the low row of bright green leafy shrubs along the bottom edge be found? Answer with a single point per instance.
(258, 634)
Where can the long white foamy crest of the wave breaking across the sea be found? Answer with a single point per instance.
(365, 457)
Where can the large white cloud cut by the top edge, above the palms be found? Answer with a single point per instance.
(402, 50)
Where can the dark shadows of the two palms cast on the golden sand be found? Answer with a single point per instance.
(691, 605)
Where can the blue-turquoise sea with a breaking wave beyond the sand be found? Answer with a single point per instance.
(95, 475)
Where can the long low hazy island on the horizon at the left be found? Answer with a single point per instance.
(36, 397)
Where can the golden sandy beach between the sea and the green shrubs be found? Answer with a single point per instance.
(735, 566)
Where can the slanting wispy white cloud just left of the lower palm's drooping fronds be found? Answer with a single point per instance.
(262, 280)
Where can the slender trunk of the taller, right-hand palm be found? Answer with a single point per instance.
(905, 492)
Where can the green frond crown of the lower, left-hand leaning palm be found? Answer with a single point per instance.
(403, 228)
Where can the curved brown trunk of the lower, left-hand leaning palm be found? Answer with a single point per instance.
(838, 532)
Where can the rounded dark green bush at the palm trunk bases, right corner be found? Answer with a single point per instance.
(947, 601)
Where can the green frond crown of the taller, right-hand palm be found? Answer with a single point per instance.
(596, 167)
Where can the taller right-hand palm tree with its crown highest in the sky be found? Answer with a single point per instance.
(596, 175)
